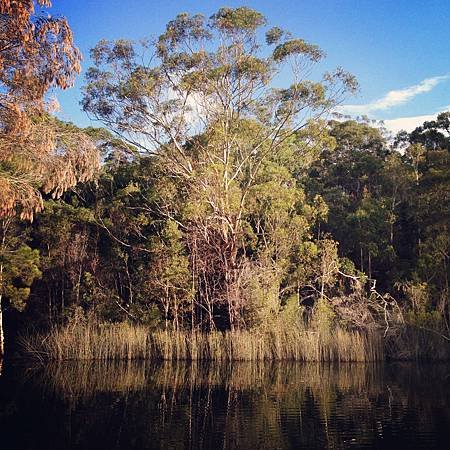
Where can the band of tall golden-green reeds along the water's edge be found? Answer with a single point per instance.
(124, 341)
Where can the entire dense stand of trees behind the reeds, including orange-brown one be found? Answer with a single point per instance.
(209, 200)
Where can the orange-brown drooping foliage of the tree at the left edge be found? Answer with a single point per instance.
(36, 154)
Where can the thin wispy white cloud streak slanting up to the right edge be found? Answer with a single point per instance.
(394, 98)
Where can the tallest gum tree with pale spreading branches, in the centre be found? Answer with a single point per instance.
(201, 99)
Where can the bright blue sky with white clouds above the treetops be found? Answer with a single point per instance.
(399, 50)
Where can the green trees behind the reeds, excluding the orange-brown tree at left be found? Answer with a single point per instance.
(220, 207)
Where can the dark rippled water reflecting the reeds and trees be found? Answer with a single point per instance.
(244, 406)
